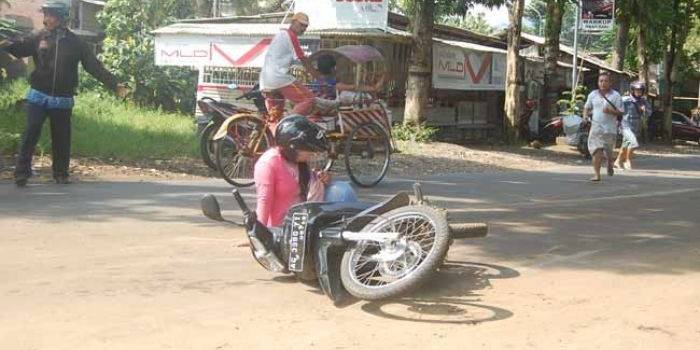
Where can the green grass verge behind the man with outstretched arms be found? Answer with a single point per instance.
(103, 127)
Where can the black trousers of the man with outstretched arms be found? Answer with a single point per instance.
(60, 139)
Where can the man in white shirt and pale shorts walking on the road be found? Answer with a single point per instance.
(605, 106)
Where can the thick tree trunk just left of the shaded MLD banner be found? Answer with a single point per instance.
(420, 63)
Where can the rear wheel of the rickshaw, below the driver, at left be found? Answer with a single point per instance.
(245, 141)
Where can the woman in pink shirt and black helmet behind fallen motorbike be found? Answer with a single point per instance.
(283, 177)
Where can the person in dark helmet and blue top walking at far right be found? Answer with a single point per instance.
(636, 110)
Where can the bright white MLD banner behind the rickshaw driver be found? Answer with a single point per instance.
(193, 50)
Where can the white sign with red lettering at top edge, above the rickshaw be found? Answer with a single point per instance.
(345, 14)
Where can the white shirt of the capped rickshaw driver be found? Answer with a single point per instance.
(283, 50)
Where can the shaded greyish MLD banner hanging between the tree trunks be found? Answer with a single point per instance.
(463, 68)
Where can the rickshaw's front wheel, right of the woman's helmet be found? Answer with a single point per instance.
(367, 154)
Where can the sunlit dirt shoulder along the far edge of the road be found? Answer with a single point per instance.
(412, 160)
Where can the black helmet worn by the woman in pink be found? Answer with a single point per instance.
(297, 133)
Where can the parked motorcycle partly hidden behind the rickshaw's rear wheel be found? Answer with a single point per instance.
(213, 115)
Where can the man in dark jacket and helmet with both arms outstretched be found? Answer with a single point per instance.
(56, 52)
